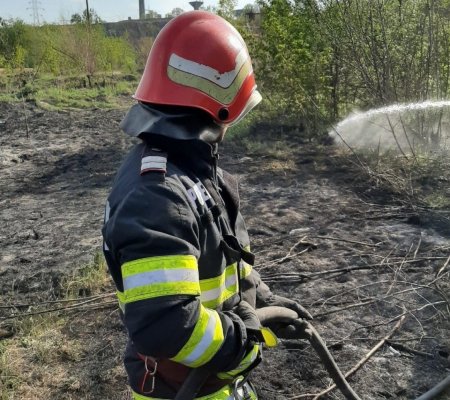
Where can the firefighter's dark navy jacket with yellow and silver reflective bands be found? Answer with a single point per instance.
(179, 253)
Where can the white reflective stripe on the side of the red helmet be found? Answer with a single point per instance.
(223, 80)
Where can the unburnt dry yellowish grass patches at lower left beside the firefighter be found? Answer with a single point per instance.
(39, 359)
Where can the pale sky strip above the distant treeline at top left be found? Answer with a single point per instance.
(108, 10)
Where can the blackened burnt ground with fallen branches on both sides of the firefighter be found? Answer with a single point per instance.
(310, 211)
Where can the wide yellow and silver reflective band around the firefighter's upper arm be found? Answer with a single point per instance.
(159, 276)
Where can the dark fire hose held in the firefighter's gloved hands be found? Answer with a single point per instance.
(270, 315)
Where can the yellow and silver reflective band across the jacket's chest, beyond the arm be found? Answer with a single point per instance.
(214, 291)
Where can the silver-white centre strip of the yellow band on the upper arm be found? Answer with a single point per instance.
(161, 276)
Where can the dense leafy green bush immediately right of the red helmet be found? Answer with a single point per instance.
(291, 61)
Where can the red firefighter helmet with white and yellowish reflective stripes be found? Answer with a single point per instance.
(200, 60)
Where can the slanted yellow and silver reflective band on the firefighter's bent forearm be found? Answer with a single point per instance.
(205, 341)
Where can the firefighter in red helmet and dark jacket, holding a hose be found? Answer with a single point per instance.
(174, 239)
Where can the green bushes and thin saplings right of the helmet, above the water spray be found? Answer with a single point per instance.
(316, 60)
